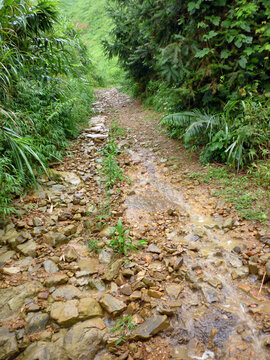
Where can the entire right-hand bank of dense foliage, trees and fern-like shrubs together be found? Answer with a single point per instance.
(207, 55)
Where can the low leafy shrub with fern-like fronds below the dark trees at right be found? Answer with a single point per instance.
(238, 141)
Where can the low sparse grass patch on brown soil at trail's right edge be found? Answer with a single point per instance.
(243, 192)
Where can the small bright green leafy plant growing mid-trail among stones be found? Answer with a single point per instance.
(121, 242)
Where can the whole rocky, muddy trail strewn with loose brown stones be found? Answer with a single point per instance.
(197, 289)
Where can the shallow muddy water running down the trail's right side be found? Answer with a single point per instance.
(214, 320)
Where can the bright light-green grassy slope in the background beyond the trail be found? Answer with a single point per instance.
(91, 19)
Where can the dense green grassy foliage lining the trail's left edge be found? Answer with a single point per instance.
(45, 90)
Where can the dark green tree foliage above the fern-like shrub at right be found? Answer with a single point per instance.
(208, 51)
